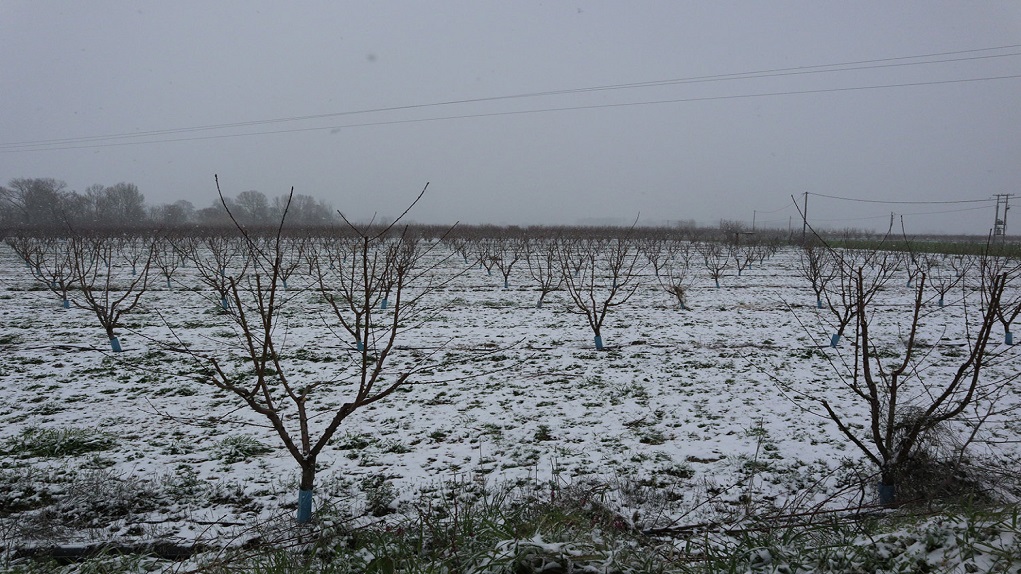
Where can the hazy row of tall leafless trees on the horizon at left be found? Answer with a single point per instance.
(45, 204)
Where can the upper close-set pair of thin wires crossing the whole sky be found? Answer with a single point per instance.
(818, 69)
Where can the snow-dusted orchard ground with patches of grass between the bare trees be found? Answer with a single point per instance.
(686, 415)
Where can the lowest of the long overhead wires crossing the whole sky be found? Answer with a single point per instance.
(56, 148)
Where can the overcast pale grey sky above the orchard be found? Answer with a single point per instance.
(361, 104)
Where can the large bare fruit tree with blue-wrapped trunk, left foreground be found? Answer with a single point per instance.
(272, 377)
